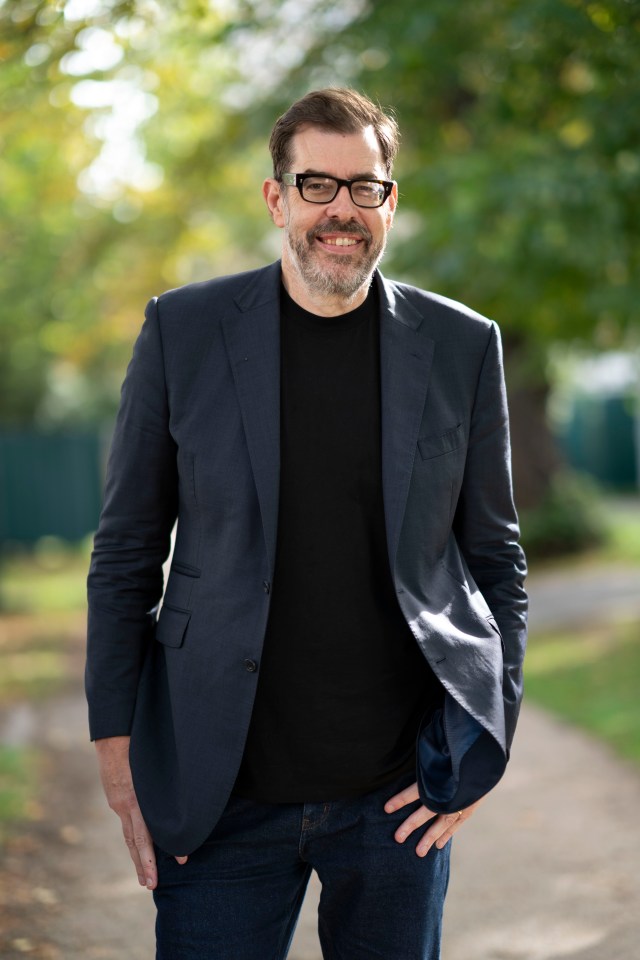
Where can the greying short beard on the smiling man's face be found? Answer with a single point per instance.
(343, 279)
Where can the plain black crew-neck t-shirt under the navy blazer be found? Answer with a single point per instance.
(342, 683)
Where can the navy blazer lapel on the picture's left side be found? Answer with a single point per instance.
(252, 338)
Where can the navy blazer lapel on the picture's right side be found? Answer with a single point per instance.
(405, 365)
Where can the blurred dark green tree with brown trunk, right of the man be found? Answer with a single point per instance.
(519, 172)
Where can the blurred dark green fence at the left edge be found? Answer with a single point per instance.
(50, 484)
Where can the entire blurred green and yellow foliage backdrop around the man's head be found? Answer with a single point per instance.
(133, 143)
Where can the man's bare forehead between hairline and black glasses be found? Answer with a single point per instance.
(313, 146)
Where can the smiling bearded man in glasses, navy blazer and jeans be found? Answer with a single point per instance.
(336, 665)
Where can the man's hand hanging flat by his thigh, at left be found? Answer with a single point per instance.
(115, 773)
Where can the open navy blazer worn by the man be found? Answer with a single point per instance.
(197, 439)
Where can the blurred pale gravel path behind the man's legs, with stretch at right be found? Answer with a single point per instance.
(548, 868)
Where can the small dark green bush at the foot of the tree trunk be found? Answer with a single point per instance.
(570, 518)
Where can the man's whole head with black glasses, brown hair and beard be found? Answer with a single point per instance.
(332, 152)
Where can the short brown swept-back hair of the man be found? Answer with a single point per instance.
(335, 109)
